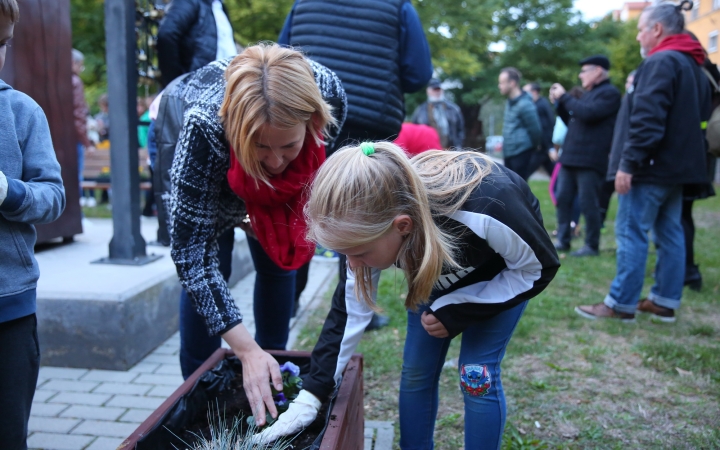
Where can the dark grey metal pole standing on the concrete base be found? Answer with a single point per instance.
(127, 245)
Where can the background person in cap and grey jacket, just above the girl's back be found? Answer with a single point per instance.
(441, 114)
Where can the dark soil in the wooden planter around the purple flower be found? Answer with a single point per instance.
(229, 402)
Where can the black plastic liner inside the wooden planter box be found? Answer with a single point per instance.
(169, 432)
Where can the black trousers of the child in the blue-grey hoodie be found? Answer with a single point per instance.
(20, 356)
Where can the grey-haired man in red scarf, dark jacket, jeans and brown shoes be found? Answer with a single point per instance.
(659, 146)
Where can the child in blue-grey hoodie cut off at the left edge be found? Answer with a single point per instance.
(31, 191)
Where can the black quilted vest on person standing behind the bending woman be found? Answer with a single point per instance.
(360, 42)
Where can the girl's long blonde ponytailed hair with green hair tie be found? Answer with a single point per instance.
(355, 198)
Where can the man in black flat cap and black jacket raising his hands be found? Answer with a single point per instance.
(590, 120)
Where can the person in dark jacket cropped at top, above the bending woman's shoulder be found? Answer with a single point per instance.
(192, 34)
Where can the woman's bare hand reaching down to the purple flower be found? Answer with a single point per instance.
(258, 368)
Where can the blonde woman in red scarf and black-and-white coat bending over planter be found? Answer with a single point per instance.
(254, 134)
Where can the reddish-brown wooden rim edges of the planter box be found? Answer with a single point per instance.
(335, 434)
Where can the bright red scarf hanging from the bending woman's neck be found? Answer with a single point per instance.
(277, 214)
